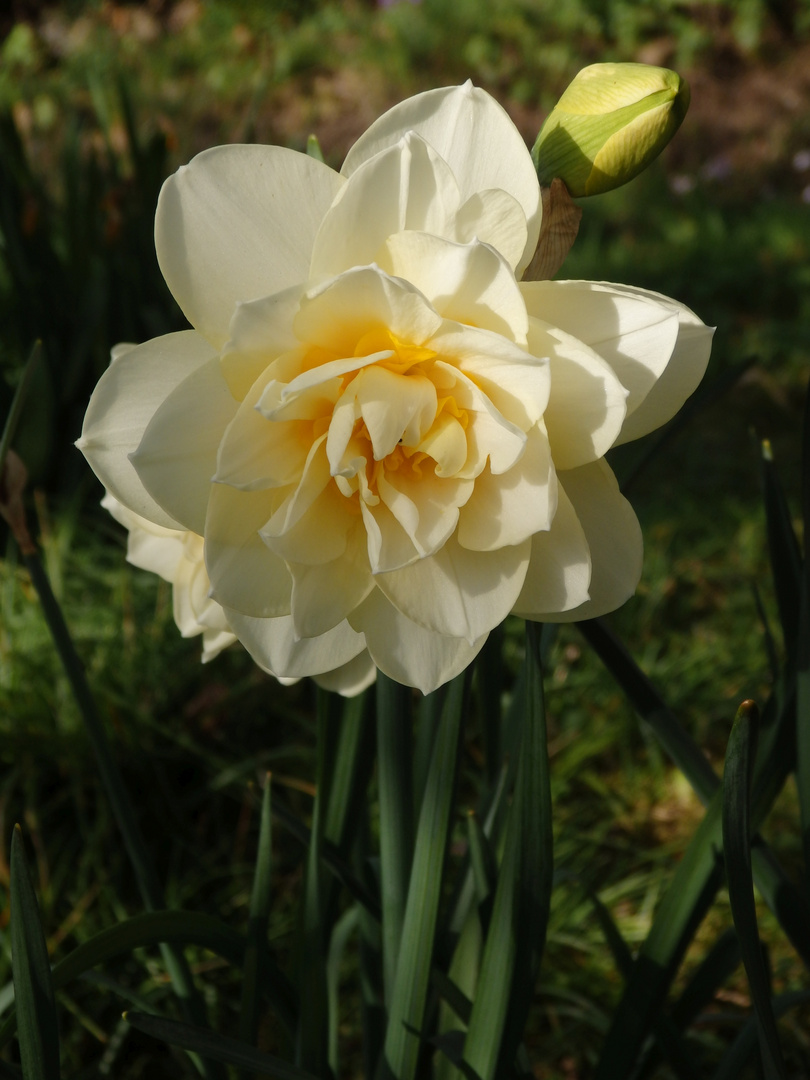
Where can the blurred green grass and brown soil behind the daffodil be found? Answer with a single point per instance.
(99, 103)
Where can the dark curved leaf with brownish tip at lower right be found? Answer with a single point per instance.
(737, 832)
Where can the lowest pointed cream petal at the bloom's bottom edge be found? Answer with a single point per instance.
(408, 653)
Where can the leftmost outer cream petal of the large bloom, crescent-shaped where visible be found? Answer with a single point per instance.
(127, 398)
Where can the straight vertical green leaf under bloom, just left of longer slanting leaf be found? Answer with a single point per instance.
(395, 779)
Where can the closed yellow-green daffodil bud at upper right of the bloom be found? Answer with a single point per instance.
(609, 126)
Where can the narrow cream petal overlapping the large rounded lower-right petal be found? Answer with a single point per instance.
(560, 570)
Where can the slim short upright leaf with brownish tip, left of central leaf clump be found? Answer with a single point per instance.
(258, 948)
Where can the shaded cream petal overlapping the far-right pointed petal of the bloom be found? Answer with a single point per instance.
(634, 333)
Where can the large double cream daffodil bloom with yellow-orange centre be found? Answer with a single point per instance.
(380, 431)
